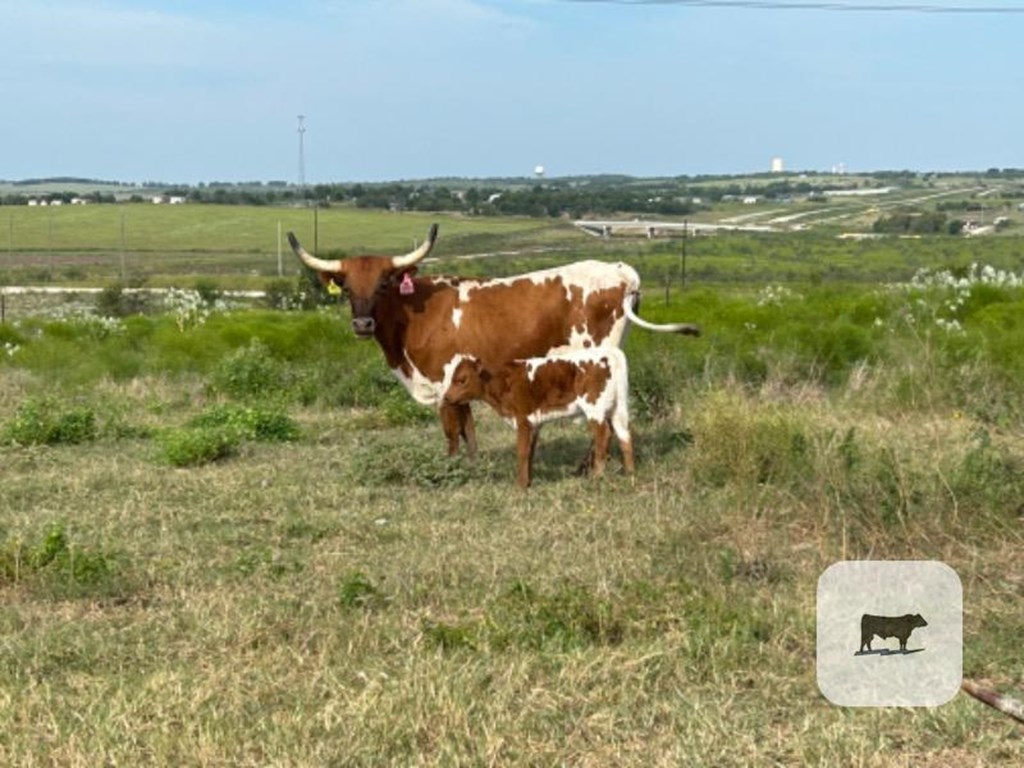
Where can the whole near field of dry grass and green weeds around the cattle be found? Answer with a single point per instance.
(232, 540)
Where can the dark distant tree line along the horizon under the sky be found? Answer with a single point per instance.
(570, 197)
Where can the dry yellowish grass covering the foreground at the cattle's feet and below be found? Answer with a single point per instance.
(298, 606)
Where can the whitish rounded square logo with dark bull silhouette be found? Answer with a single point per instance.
(890, 633)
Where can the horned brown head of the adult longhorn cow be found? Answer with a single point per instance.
(365, 278)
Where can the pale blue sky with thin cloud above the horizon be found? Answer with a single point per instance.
(210, 91)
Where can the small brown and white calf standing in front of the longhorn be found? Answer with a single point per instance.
(592, 383)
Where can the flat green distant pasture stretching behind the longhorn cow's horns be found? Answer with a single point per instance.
(237, 248)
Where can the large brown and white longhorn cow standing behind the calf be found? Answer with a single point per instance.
(422, 324)
